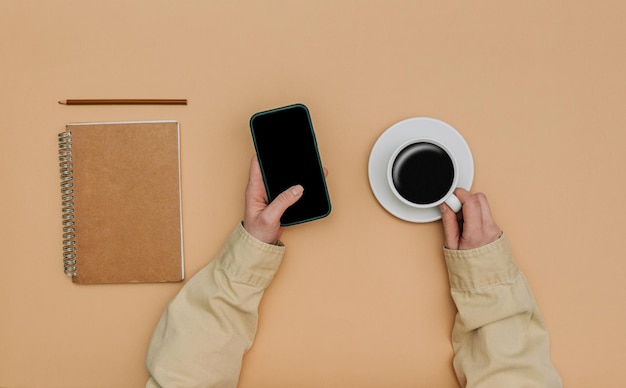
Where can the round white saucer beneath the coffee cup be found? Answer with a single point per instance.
(396, 135)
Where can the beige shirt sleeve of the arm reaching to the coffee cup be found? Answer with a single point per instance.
(499, 336)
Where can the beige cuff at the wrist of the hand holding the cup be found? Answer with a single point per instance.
(480, 268)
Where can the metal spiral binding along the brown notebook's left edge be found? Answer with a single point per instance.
(67, 201)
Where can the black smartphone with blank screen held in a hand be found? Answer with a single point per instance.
(287, 152)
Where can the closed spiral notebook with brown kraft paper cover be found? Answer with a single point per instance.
(121, 195)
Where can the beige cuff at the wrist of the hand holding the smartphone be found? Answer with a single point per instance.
(248, 260)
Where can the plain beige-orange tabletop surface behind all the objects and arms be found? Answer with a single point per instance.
(537, 89)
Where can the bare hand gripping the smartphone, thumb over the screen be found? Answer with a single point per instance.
(262, 220)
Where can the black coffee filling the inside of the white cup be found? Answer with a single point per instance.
(423, 173)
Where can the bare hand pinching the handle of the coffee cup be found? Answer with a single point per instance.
(473, 226)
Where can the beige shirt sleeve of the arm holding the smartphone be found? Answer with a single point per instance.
(203, 334)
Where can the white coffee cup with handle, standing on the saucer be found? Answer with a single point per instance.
(423, 173)
